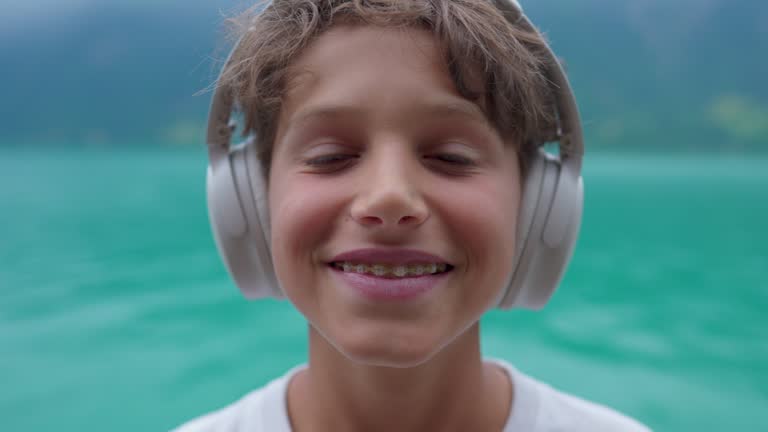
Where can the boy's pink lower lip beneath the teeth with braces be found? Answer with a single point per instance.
(389, 289)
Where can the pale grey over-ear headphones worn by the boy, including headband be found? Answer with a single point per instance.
(548, 224)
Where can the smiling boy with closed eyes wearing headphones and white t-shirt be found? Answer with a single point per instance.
(394, 193)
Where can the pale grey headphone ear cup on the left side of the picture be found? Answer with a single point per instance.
(237, 209)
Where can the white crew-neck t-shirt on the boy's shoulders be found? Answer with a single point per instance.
(536, 407)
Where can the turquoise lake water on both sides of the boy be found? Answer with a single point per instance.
(116, 313)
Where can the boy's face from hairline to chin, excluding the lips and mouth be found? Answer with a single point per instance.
(414, 166)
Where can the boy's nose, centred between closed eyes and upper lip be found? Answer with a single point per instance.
(389, 195)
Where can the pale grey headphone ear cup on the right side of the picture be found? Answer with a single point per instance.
(548, 225)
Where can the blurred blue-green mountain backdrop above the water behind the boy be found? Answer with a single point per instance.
(650, 75)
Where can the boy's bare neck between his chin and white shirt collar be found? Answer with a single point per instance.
(453, 391)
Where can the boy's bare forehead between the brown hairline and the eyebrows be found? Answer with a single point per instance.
(349, 63)
